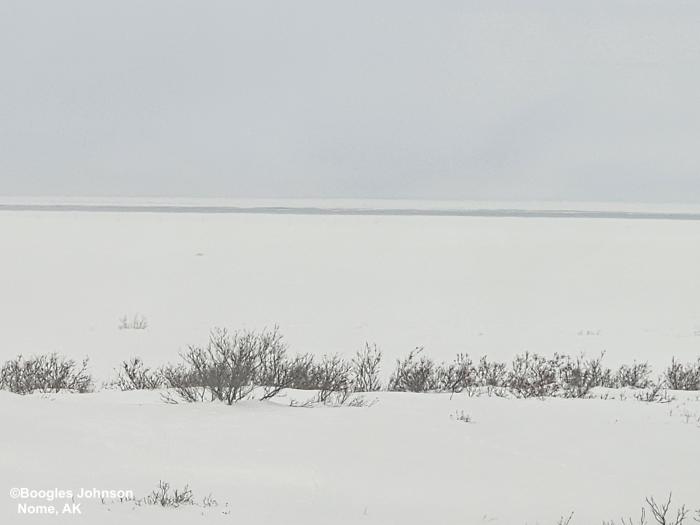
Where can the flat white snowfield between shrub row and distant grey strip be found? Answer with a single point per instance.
(494, 286)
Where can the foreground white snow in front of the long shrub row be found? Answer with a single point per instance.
(404, 460)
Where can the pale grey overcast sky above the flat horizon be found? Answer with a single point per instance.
(437, 99)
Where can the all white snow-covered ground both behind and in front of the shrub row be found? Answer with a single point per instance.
(494, 286)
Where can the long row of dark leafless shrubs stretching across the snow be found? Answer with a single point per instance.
(248, 364)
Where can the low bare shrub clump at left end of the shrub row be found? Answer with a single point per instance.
(45, 373)
